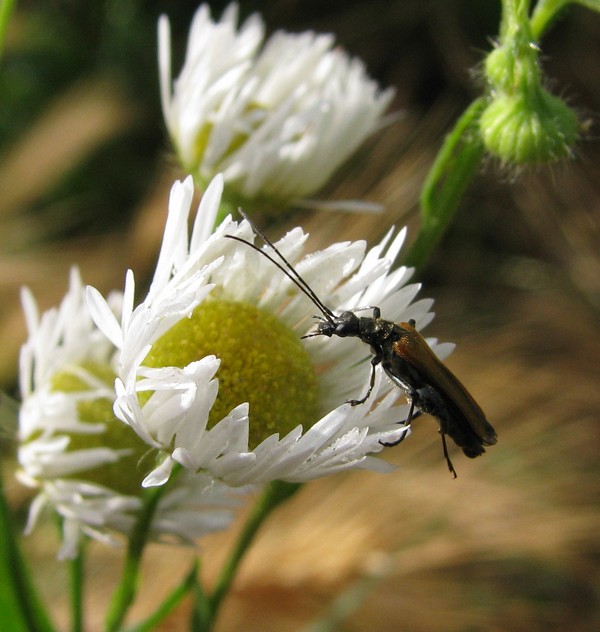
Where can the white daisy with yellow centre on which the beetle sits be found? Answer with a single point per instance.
(234, 307)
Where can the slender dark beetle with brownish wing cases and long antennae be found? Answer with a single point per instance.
(408, 361)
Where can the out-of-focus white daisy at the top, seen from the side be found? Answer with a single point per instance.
(276, 119)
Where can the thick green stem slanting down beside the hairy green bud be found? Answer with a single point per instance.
(455, 166)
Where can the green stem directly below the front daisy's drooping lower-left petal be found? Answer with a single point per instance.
(127, 589)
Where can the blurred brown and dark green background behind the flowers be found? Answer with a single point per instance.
(513, 543)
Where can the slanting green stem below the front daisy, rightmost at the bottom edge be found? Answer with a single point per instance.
(274, 495)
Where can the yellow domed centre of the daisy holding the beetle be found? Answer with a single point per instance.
(262, 362)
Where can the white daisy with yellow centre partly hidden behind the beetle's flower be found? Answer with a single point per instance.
(83, 461)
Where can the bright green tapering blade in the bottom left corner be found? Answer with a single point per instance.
(20, 606)
